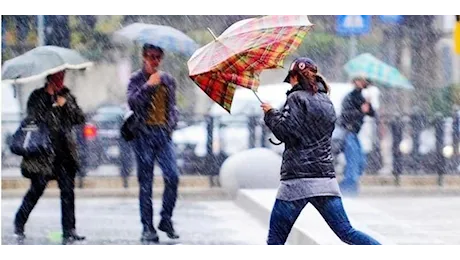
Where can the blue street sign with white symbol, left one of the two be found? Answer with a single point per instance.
(353, 24)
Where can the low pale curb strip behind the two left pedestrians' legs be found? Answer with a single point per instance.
(183, 194)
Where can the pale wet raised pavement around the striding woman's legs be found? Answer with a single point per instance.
(402, 221)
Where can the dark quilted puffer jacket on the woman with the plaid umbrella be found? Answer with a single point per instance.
(305, 125)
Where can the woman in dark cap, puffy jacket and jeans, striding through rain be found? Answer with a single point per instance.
(305, 125)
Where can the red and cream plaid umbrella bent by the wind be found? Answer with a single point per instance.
(243, 51)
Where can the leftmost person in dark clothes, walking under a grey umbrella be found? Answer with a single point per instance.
(54, 106)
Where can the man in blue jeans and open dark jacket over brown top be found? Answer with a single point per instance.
(152, 98)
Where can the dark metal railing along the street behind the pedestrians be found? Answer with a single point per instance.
(406, 145)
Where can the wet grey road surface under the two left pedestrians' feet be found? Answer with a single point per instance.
(115, 222)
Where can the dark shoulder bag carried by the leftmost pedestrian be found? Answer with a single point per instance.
(31, 139)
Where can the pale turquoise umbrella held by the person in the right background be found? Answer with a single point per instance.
(376, 70)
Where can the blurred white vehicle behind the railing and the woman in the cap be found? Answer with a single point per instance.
(231, 131)
